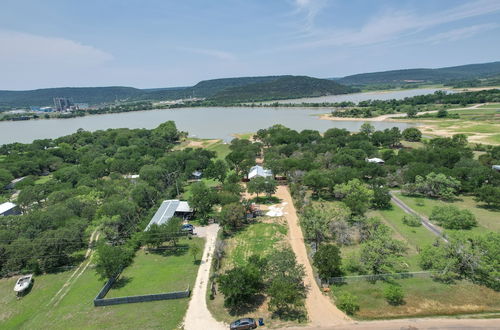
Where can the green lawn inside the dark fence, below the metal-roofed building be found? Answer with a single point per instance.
(158, 272)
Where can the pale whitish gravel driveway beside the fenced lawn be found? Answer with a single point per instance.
(198, 316)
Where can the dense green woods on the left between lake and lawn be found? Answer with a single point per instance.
(85, 185)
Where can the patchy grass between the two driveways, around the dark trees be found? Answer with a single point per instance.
(259, 238)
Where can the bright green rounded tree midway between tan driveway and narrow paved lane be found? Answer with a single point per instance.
(355, 194)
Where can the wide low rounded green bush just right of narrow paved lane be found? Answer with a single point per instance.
(451, 217)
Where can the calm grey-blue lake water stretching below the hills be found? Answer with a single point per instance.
(215, 122)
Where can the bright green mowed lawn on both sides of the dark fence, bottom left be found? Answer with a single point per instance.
(76, 309)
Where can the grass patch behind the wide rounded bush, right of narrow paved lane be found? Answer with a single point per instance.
(487, 219)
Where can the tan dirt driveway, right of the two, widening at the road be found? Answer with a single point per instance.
(322, 312)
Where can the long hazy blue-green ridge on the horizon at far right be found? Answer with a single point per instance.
(441, 75)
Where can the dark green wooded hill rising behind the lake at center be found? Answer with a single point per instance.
(284, 87)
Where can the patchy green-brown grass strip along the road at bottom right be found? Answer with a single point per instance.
(423, 297)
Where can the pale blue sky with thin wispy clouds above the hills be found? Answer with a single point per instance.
(167, 43)
